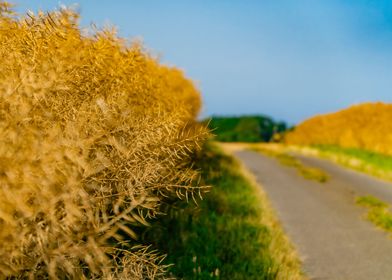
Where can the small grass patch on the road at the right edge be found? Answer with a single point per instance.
(378, 212)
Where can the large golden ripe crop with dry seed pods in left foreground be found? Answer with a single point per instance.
(94, 135)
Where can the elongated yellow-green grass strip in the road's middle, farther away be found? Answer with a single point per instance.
(284, 158)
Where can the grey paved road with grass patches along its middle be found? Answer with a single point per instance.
(322, 220)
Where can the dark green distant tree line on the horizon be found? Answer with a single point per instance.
(256, 128)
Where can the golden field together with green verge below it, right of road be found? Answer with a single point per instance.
(358, 137)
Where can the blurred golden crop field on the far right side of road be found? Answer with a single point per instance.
(366, 126)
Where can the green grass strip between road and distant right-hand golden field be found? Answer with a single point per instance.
(361, 160)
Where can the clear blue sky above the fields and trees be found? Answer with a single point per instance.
(288, 59)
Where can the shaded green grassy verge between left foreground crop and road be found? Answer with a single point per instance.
(232, 234)
